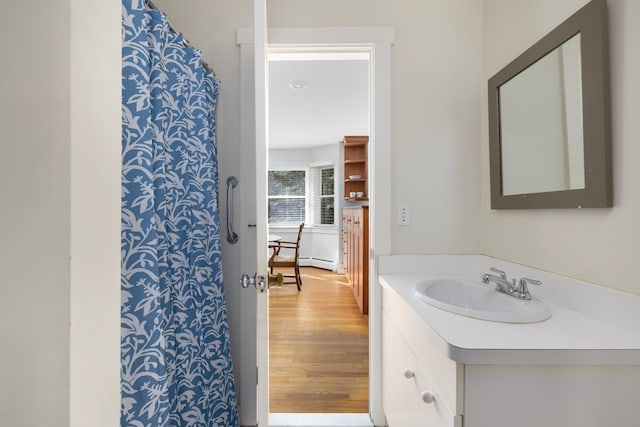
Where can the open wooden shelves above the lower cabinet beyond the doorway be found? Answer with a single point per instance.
(356, 158)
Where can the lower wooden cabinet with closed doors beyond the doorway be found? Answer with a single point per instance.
(355, 248)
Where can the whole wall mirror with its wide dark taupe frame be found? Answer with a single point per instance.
(549, 126)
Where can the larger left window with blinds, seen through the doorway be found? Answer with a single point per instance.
(287, 197)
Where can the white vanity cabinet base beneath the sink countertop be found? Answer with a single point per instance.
(415, 360)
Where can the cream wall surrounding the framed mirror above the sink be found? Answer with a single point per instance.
(596, 245)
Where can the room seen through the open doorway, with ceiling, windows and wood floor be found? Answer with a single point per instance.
(317, 95)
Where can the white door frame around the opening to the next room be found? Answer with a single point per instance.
(379, 39)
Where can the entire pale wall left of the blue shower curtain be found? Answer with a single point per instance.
(60, 189)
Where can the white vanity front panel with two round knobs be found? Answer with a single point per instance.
(407, 387)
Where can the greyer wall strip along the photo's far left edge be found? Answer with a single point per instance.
(34, 214)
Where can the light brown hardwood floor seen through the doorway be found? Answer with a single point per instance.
(318, 347)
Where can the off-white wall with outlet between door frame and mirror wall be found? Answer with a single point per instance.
(435, 115)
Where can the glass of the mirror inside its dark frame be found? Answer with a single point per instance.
(541, 124)
